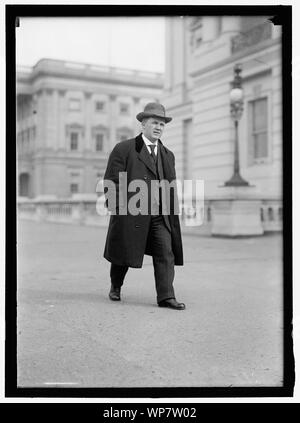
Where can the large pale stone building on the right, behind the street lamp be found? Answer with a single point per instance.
(200, 56)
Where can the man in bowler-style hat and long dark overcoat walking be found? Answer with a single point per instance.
(155, 231)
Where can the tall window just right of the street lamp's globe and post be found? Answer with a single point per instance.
(258, 122)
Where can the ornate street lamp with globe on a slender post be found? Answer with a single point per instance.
(236, 110)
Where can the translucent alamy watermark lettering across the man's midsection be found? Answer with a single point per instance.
(184, 198)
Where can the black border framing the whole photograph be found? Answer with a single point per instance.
(282, 16)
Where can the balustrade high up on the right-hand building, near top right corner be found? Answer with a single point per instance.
(252, 37)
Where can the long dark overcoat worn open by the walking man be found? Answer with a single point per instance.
(127, 235)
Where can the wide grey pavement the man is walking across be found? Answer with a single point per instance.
(71, 334)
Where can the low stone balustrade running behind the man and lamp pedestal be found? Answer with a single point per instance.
(92, 212)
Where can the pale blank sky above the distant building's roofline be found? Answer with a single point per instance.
(136, 43)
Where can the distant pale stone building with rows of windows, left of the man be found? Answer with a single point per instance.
(69, 116)
